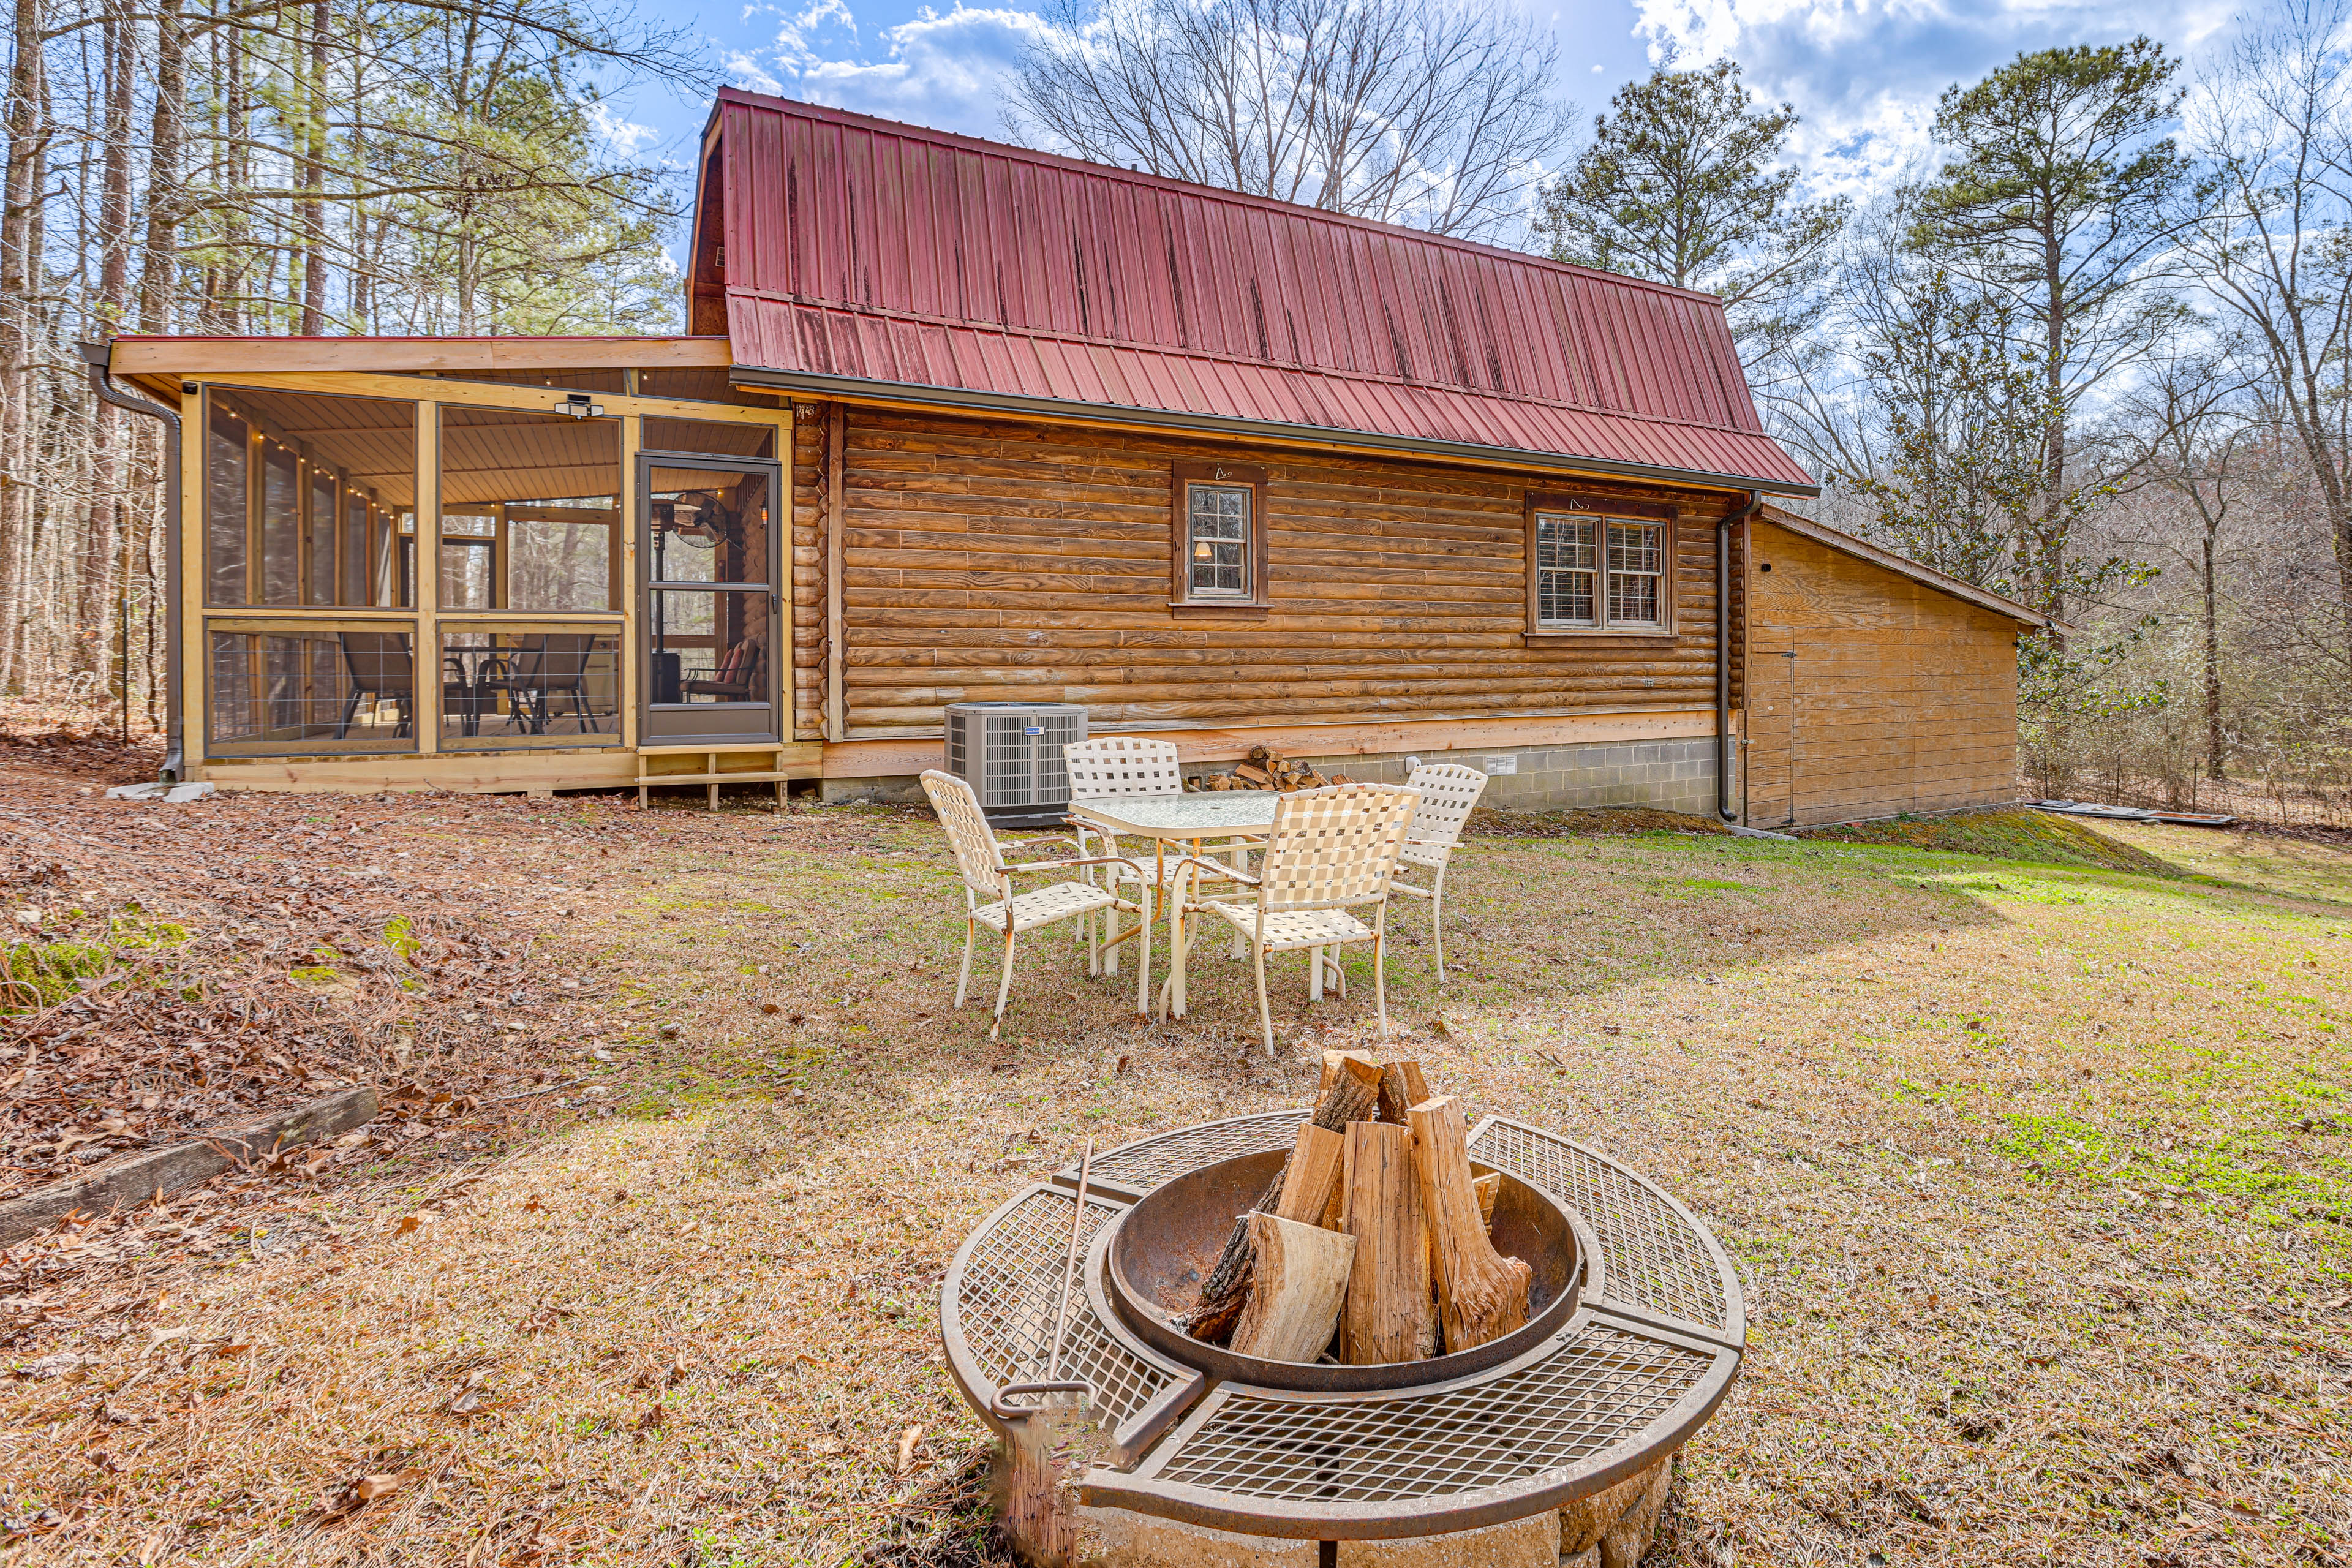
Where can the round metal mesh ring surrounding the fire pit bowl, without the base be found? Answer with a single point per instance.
(1633, 1362)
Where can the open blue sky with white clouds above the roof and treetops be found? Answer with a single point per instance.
(1864, 74)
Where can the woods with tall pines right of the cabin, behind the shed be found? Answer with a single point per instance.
(2097, 356)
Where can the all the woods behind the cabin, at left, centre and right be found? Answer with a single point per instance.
(2092, 354)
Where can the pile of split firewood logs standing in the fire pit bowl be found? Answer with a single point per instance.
(1372, 1242)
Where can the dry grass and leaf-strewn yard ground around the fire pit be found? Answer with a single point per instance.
(2036, 1174)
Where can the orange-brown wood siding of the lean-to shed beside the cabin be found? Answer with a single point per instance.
(1873, 695)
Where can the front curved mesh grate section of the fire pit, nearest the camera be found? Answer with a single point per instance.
(1591, 1391)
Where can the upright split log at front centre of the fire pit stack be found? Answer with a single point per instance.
(1389, 1315)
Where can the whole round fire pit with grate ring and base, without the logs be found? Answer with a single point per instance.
(1546, 1440)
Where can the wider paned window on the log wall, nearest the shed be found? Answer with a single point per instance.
(1591, 570)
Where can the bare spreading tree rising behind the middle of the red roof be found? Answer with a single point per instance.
(1434, 114)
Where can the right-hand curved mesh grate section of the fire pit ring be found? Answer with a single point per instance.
(1652, 1247)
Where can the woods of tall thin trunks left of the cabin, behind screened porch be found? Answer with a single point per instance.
(253, 170)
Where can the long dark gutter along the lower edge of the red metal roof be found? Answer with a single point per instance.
(1067, 410)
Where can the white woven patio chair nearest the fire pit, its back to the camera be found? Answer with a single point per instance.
(1330, 852)
